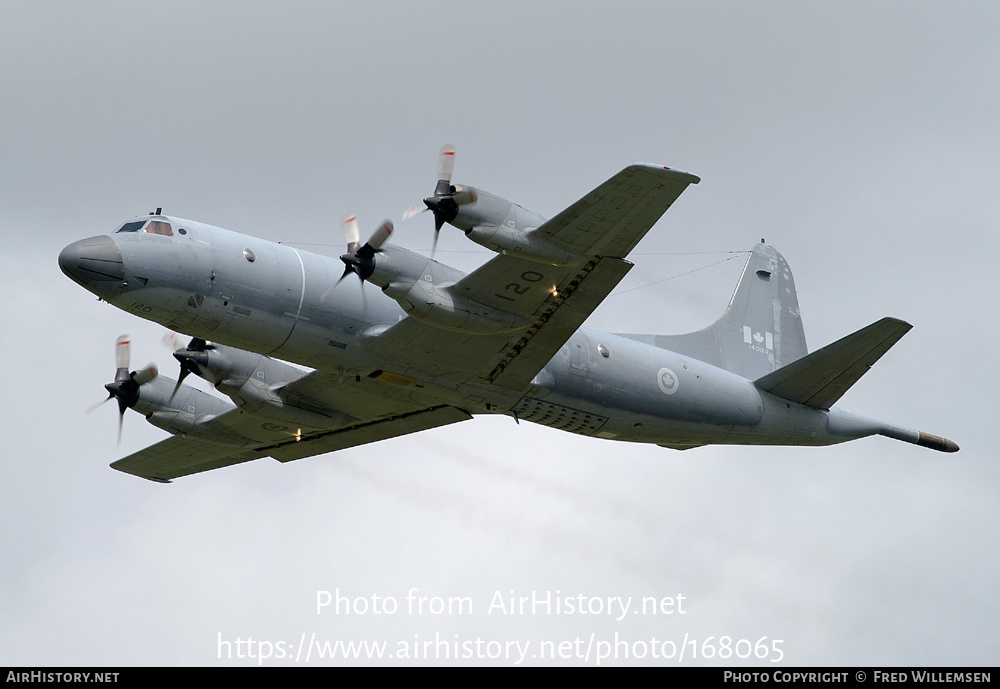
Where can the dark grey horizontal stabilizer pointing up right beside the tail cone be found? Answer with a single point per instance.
(821, 378)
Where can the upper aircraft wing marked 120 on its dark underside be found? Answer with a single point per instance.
(551, 301)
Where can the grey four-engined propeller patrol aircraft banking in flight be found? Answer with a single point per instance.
(434, 346)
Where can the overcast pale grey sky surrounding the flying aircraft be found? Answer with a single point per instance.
(858, 138)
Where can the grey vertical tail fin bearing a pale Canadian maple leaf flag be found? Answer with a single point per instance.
(761, 329)
